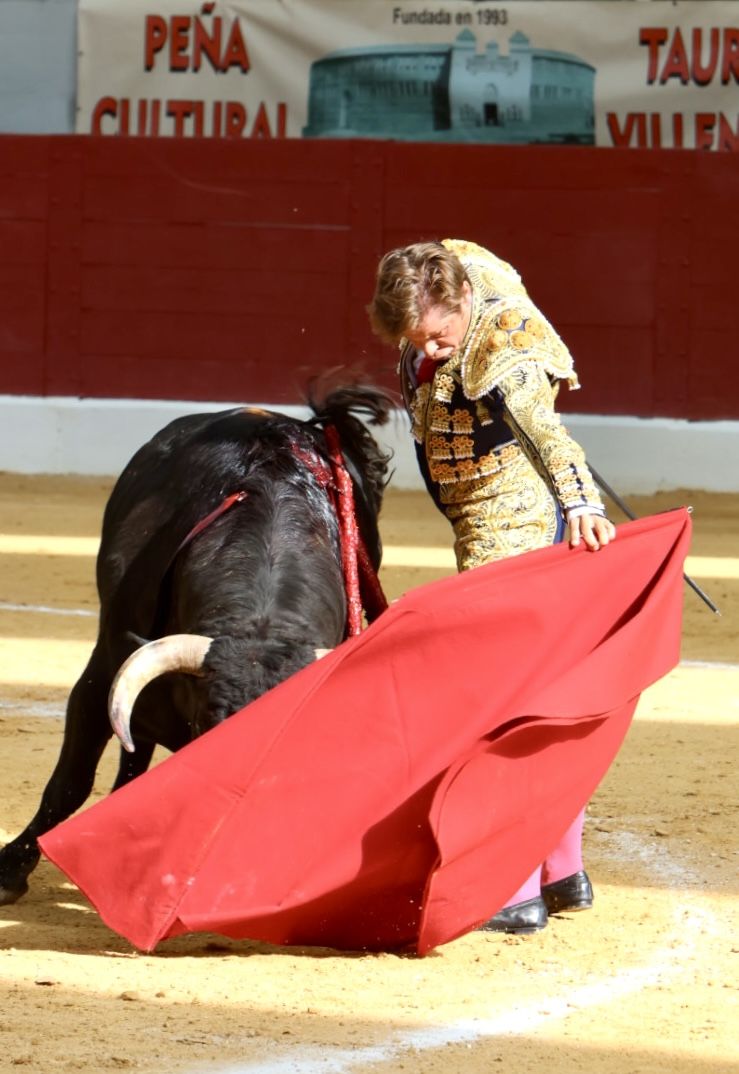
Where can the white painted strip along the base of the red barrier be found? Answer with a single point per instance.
(69, 436)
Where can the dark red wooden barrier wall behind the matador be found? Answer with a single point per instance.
(219, 270)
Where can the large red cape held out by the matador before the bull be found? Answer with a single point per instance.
(399, 791)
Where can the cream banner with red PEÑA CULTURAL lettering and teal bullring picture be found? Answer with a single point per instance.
(582, 72)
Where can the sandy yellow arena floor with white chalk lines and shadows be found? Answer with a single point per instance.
(646, 983)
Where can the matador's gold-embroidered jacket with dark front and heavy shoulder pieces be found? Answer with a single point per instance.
(494, 400)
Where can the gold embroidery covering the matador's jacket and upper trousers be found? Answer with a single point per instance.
(503, 502)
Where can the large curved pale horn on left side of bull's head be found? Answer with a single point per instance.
(177, 652)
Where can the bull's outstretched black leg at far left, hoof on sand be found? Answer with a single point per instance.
(86, 733)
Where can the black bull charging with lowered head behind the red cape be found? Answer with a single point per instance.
(262, 585)
